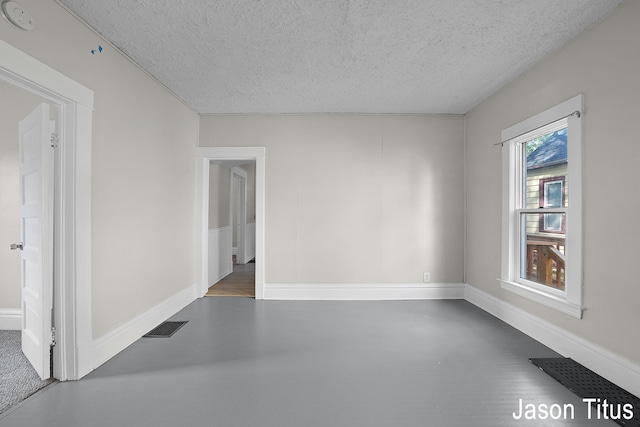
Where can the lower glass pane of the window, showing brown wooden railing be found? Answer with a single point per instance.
(542, 254)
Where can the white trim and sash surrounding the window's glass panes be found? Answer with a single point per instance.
(570, 300)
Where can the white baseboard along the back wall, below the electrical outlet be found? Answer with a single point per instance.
(363, 291)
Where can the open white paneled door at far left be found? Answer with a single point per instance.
(36, 213)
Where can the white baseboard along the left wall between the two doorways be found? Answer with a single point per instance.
(106, 347)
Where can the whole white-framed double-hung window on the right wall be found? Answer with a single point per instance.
(541, 236)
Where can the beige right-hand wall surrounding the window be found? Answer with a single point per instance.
(603, 63)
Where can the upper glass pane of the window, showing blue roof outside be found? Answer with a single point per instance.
(545, 171)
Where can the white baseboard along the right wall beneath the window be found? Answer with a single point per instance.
(616, 369)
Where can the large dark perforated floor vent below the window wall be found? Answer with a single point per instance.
(587, 384)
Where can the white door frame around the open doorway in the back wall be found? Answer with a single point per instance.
(204, 156)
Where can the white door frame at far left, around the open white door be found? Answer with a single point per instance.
(73, 354)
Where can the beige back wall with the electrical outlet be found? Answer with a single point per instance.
(356, 199)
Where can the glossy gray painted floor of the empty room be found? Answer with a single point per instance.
(242, 362)
